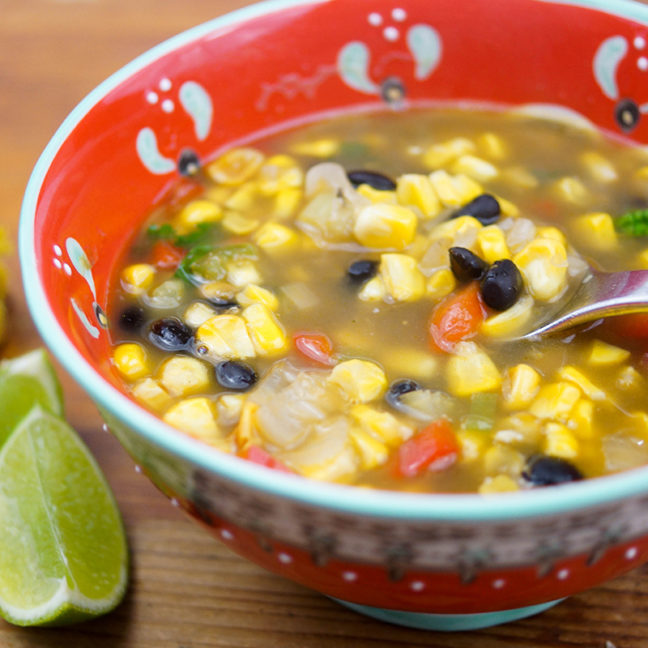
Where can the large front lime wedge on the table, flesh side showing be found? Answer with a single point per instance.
(63, 553)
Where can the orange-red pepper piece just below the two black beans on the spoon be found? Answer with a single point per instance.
(457, 318)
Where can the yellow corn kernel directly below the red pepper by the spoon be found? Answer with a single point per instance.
(470, 371)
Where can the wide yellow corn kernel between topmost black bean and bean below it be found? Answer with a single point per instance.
(385, 226)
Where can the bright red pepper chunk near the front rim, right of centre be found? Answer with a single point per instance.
(434, 448)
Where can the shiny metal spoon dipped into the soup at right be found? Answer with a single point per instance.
(600, 294)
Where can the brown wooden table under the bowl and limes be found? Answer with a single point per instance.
(187, 590)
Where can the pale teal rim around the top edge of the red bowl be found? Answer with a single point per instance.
(348, 499)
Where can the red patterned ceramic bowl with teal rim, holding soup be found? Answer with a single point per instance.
(425, 560)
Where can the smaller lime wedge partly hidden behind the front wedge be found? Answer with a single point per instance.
(25, 382)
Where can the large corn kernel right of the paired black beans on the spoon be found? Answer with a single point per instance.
(543, 264)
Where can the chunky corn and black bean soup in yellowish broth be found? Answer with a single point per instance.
(339, 301)
